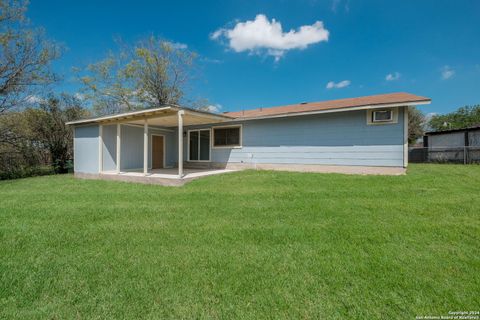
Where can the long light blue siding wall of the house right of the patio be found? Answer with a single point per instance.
(342, 138)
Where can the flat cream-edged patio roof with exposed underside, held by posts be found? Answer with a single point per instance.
(164, 116)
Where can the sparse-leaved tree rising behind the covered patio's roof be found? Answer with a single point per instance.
(150, 74)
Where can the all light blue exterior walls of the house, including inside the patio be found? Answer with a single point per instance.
(342, 138)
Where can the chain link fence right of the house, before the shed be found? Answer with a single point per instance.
(461, 155)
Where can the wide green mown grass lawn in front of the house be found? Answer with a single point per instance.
(252, 244)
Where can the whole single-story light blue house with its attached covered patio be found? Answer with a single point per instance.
(365, 134)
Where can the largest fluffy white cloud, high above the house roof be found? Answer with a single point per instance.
(264, 36)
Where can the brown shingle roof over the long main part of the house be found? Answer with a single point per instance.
(382, 99)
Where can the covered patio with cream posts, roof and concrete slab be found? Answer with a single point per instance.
(148, 145)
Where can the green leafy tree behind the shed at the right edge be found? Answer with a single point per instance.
(461, 118)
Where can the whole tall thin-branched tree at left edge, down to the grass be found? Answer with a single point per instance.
(25, 57)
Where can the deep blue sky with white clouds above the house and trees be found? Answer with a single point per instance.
(430, 48)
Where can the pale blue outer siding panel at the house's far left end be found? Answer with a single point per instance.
(86, 149)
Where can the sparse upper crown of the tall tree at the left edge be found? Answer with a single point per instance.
(25, 56)
